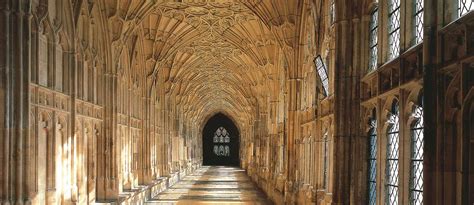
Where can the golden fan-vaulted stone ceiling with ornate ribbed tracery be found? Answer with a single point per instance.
(211, 55)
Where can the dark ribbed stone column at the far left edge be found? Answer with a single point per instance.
(16, 186)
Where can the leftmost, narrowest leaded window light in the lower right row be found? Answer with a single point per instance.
(372, 161)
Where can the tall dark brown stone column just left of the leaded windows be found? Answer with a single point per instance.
(347, 102)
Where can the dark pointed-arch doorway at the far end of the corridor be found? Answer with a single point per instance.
(220, 142)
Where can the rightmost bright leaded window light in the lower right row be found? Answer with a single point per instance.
(417, 142)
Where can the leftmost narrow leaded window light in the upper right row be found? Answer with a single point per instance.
(373, 40)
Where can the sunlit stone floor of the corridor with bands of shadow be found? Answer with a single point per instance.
(213, 185)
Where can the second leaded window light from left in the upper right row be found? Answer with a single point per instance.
(393, 28)
